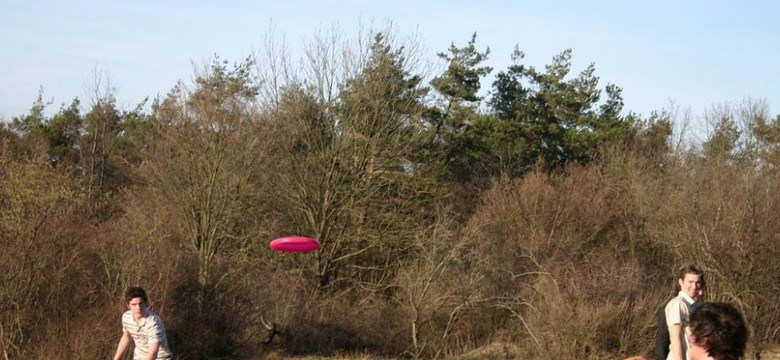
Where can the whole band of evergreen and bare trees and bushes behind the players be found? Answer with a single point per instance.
(540, 216)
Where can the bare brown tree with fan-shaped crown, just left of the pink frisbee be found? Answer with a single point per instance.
(204, 158)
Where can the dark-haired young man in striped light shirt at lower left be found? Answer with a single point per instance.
(143, 327)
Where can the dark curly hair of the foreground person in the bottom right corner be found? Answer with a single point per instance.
(720, 329)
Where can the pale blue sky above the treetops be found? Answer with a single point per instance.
(694, 54)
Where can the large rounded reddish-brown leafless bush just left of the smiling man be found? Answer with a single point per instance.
(572, 262)
